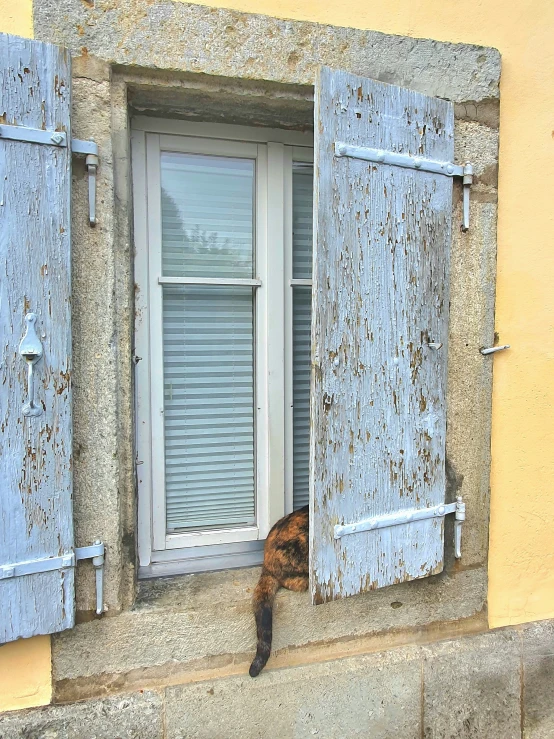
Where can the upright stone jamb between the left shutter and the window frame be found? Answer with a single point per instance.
(95, 357)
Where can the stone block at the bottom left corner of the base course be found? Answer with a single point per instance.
(137, 716)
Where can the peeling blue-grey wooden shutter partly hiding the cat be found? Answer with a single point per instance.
(380, 298)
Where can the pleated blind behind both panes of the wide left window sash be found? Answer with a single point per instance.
(207, 230)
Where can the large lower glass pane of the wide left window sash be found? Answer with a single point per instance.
(208, 406)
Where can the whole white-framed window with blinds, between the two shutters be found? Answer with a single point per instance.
(223, 391)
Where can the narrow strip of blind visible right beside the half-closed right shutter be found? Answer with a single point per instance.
(302, 224)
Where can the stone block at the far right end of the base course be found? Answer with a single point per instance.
(538, 680)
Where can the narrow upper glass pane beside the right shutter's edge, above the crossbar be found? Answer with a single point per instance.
(302, 221)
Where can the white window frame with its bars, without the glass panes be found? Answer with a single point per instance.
(274, 151)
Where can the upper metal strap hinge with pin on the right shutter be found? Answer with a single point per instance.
(381, 156)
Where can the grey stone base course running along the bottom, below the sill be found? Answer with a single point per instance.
(498, 685)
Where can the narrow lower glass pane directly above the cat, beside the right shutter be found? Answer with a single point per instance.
(301, 343)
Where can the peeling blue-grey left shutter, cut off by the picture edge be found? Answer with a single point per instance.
(36, 526)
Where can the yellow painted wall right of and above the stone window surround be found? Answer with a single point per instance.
(521, 559)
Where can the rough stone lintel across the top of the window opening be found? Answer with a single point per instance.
(186, 37)
